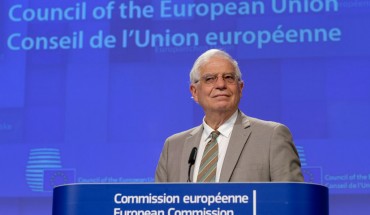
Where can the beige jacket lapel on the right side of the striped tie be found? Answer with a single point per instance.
(238, 140)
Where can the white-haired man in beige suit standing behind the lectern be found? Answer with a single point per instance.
(232, 147)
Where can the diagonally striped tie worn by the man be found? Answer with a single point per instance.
(208, 165)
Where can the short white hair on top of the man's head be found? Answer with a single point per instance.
(205, 57)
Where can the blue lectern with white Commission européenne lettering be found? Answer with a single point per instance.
(191, 199)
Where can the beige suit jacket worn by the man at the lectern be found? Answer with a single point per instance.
(258, 151)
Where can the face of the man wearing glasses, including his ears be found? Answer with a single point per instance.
(220, 95)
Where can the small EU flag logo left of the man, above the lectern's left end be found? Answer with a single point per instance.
(55, 177)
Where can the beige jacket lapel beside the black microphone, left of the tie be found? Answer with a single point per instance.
(192, 141)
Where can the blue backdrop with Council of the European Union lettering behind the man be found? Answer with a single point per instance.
(89, 90)
